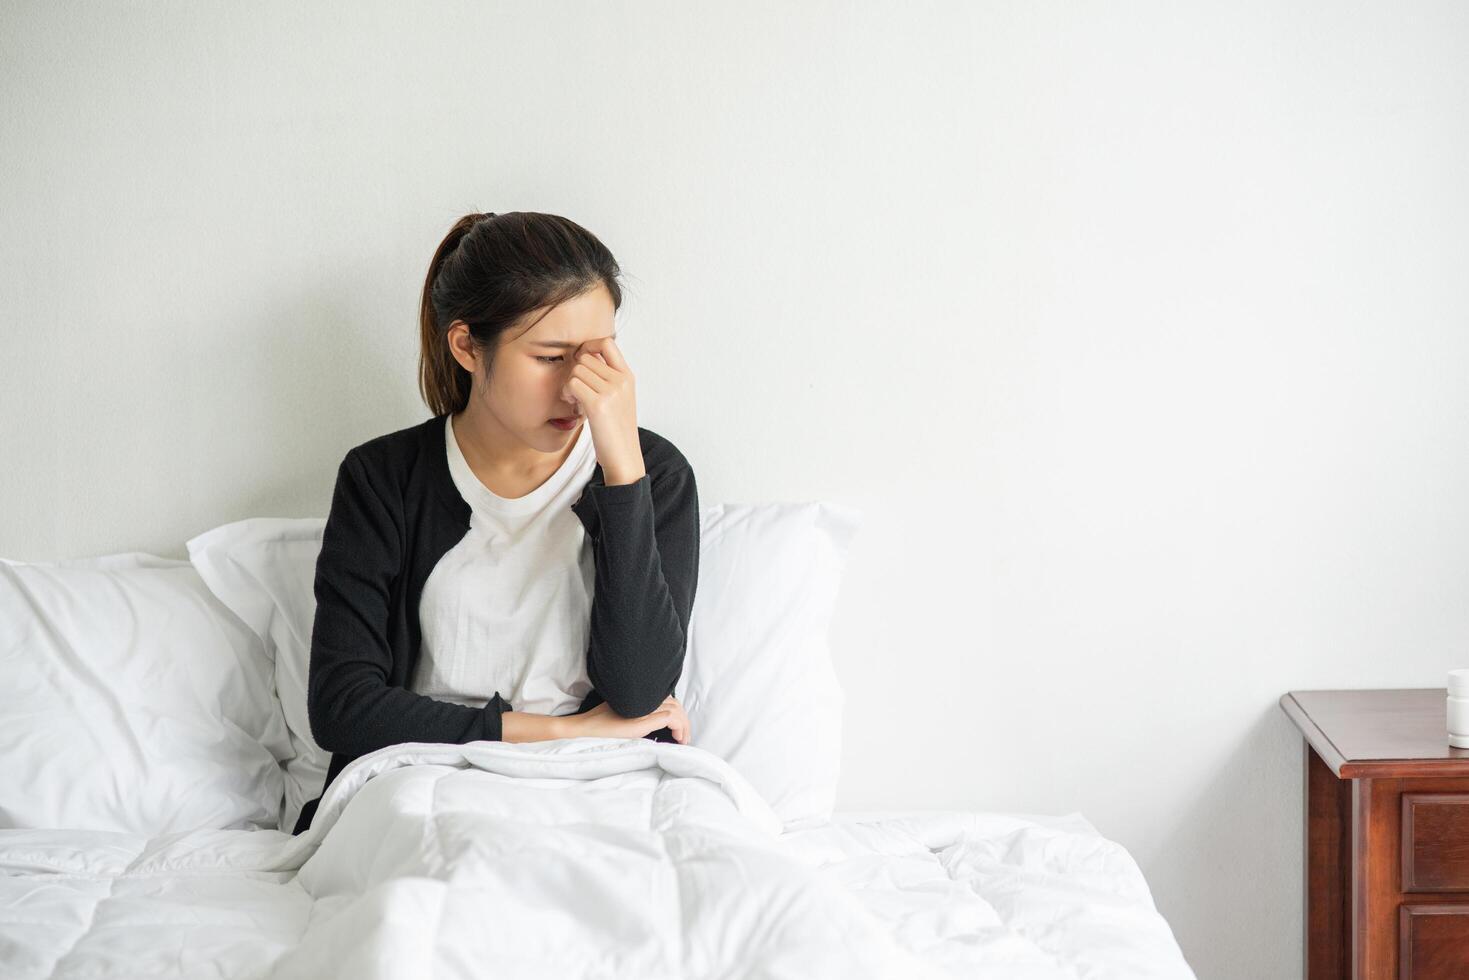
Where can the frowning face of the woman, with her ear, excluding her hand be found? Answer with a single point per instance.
(533, 367)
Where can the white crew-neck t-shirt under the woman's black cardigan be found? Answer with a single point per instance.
(509, 608)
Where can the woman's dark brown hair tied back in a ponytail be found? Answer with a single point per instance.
(491, 271)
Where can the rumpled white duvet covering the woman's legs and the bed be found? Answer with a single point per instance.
(581, 859)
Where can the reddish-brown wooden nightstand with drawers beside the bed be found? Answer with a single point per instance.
(1387, 837)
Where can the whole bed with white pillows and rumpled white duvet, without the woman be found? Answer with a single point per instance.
(158, 746)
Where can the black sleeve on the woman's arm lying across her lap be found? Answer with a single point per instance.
(350, 705)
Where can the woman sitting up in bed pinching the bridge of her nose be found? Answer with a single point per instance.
(521, 566)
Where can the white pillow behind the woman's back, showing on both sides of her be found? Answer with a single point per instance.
(757, 681)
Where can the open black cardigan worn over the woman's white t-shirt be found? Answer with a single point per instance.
(396, 512)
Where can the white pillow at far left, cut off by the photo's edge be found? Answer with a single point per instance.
(133, 702)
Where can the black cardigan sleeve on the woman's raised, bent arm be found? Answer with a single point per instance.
(647, 556)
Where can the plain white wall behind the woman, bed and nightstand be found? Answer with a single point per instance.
(1136, 330)
